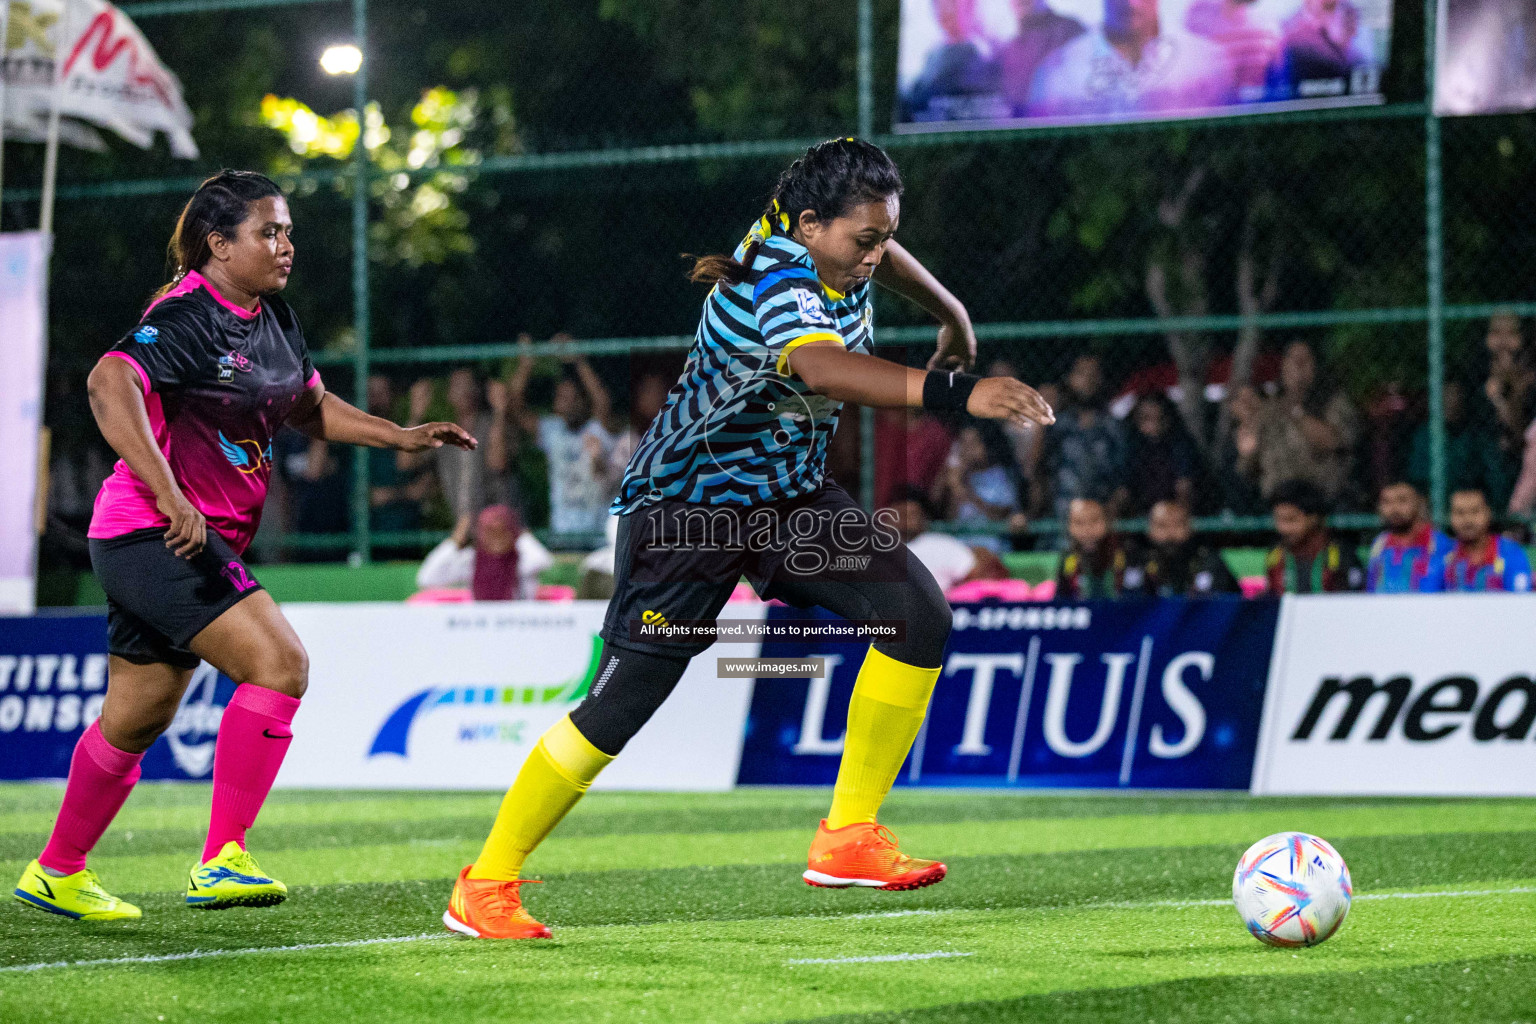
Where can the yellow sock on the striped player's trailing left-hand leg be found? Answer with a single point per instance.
(552, 781)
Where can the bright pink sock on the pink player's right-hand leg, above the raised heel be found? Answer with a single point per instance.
(253, 739)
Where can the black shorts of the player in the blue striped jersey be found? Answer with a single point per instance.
(680, 561)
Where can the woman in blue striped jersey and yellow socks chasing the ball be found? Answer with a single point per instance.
(730, 480)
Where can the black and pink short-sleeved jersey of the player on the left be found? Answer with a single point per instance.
(219, 383)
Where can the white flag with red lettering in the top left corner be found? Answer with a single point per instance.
(113, 78)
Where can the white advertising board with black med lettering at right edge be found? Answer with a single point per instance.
(1415, 695)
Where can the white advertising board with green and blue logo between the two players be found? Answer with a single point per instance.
(455, 698)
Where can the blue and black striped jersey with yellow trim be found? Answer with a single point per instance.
(740, 428)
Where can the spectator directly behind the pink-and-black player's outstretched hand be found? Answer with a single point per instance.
(471, 480)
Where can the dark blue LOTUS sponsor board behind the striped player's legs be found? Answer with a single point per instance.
(1099, 695)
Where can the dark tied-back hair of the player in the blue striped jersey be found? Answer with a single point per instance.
(829, 180)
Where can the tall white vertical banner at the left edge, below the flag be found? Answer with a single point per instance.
(24, 291)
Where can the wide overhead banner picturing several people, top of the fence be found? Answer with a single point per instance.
(1004, 64)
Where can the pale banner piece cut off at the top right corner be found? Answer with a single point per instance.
(1486, 58)
